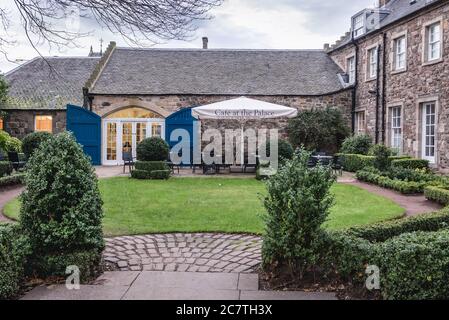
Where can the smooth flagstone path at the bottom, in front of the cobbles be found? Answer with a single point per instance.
(131, 285)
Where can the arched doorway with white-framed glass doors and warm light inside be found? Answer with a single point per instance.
(124, 129)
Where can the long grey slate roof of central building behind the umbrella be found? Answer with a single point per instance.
(218, 72)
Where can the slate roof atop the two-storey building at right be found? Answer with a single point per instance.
(398, 9)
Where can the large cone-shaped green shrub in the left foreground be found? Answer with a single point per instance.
(61, 208)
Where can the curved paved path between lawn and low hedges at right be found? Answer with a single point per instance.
(413, 204)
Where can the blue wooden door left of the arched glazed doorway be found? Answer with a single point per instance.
(86, 126)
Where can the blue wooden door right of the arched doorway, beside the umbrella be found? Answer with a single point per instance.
(180, 120)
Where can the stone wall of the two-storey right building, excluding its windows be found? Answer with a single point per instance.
(419, 83)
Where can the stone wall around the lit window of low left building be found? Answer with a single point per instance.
(19, 123)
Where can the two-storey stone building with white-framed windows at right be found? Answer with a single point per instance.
(397, 59)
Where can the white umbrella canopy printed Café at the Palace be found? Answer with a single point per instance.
(243, 109)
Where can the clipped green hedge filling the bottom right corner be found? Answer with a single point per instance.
(412, 255)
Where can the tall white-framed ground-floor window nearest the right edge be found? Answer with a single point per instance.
(429, 126)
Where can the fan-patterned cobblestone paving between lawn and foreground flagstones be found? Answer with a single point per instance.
(185, 252)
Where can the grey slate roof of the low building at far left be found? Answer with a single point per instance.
(34, 85)
